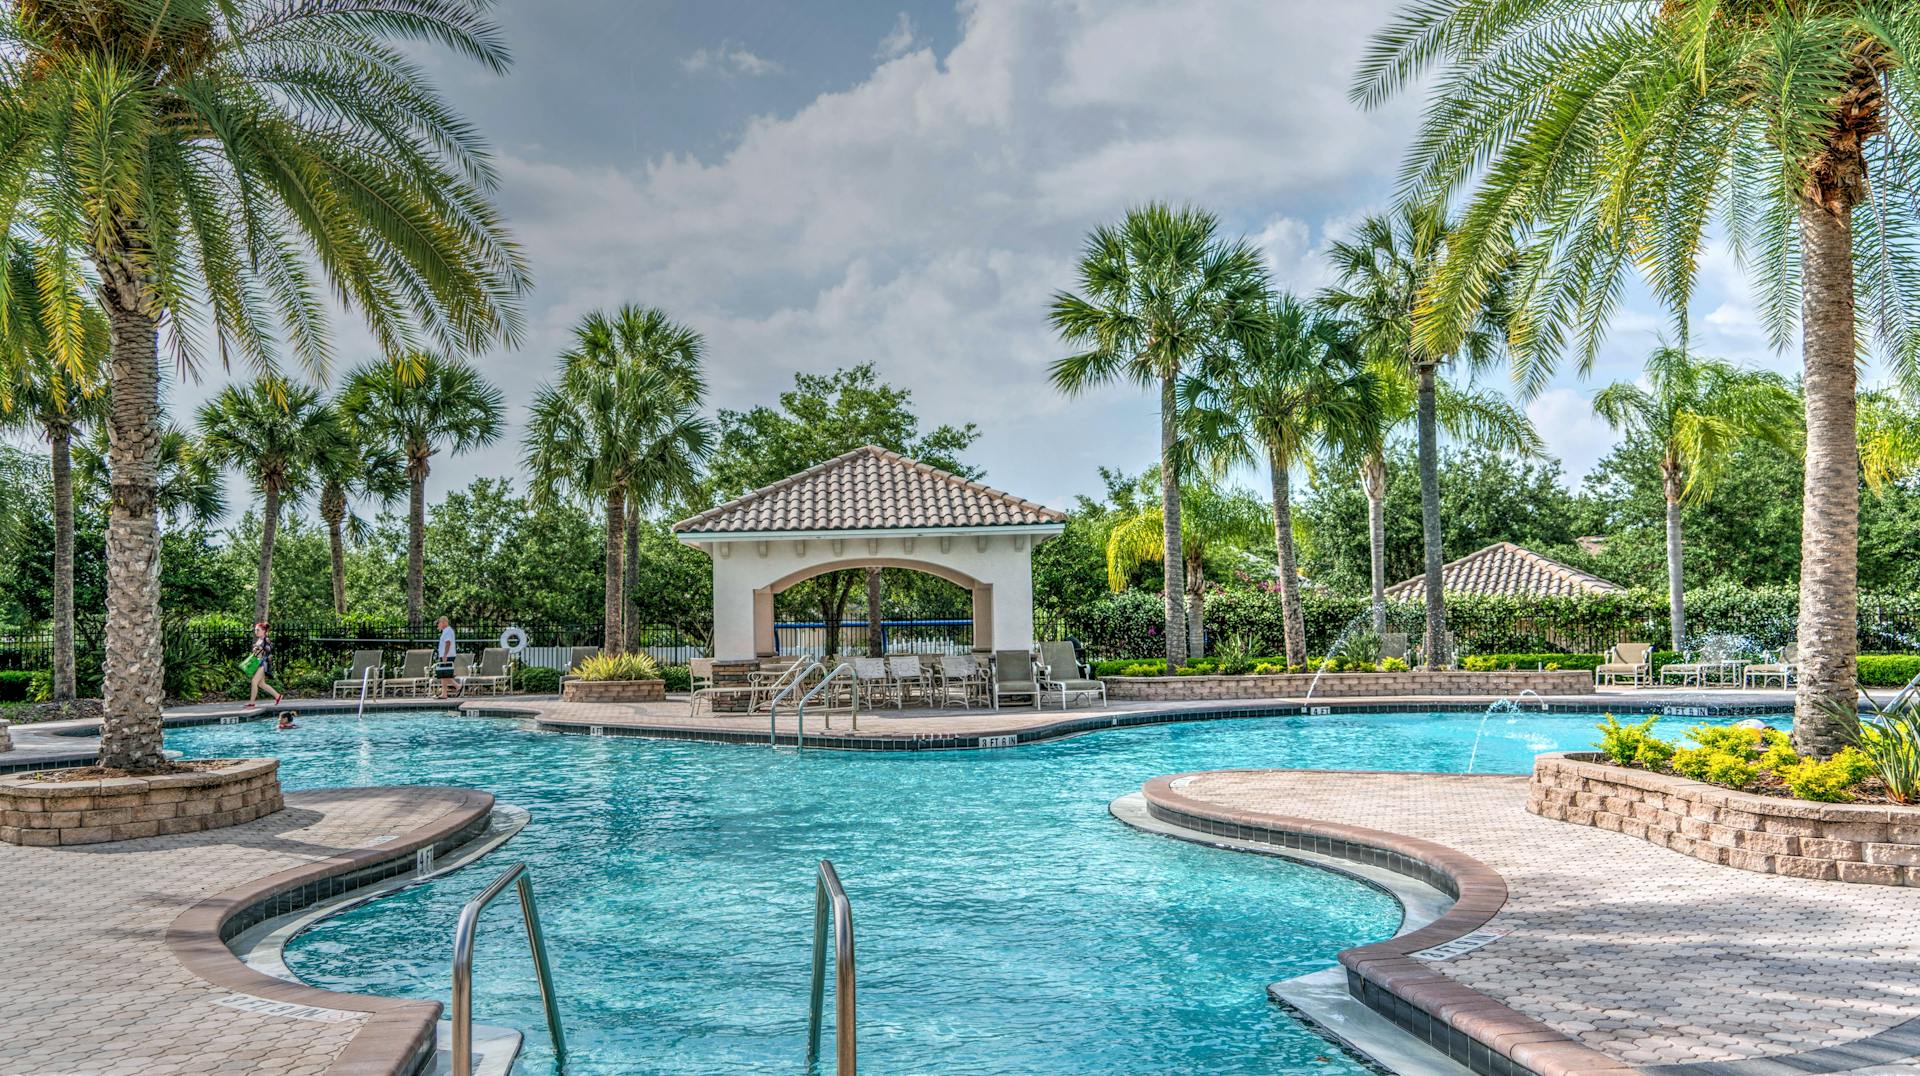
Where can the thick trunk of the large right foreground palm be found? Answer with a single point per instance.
(1831, 514)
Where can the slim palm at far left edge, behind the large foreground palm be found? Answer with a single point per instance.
(55, 401)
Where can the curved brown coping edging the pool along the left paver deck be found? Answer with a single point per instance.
(398, 1037)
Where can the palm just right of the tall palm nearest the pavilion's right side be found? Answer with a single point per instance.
(1289, 391)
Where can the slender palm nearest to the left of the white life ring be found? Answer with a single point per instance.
(420, 404)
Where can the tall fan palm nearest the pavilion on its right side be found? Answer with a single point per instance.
(1159, 295)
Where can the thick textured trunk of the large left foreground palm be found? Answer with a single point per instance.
(130, 737)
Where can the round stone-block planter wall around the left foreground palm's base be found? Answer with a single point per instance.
(39, 812)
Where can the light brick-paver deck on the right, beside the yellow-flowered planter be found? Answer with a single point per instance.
(1648, 956)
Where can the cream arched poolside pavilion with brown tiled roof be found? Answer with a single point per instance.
(871, 508)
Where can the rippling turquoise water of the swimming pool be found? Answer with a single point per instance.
(1005, 921)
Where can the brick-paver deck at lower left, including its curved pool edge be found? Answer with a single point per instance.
(114, 964)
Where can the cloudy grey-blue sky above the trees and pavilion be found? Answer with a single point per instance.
(819, 185)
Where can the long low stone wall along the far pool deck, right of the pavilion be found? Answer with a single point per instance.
(1353, 685)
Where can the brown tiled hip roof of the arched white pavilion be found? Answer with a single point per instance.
(871, 489)
